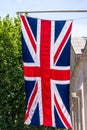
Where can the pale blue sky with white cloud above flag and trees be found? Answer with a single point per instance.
(79, 28)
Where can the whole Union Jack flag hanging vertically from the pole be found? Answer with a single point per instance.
(46, 64)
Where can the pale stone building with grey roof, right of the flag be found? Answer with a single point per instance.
(78, 85)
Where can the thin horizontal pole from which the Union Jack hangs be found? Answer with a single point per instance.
(53, 11)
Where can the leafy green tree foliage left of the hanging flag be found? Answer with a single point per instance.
(12, 97)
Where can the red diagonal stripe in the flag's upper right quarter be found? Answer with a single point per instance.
(62, 43)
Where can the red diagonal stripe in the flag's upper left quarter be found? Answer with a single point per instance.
(29, 32)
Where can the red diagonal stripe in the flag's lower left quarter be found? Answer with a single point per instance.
(31, 101)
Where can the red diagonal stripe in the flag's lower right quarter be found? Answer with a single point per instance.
(61, 114)
